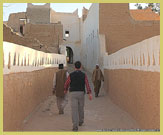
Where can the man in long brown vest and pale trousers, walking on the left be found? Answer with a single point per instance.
(58, 87)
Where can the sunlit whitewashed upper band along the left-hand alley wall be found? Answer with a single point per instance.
(19, 58)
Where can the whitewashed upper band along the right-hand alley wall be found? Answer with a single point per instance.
(144, 55)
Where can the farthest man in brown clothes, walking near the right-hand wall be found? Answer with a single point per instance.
(97, 77)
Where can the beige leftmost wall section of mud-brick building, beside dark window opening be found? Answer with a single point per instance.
(14, 20)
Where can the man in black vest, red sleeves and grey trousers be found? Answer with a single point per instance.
(77, 81)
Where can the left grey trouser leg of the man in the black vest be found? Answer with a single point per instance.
(74, 110)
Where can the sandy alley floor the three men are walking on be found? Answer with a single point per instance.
(100, 114)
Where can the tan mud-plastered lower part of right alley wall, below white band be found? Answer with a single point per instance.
(138, 93)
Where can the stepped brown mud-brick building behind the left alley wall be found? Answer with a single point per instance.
(35, 24)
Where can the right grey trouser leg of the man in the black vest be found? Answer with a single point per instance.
(81, 108)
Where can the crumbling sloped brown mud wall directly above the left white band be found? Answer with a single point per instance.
(10, 36)
